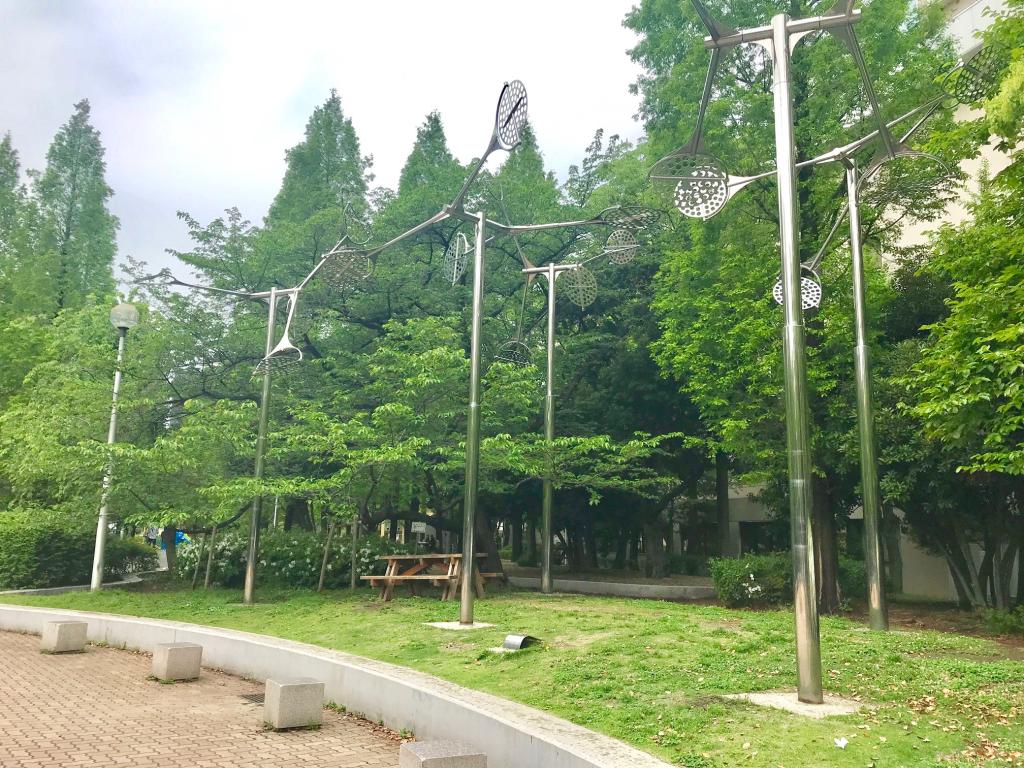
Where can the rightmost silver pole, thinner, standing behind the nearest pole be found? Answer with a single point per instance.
(878, 615)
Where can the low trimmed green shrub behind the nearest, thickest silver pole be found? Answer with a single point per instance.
(767, 580)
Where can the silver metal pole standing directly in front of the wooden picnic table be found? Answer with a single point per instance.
(473, 433)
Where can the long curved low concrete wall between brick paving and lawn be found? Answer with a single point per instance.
(511, 735)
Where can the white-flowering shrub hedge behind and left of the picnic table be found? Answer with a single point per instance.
(290, 559)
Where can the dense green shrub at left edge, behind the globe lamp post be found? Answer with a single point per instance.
(38, 549)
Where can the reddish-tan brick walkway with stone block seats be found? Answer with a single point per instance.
(98, 710)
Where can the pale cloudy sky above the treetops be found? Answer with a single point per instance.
(197, 101)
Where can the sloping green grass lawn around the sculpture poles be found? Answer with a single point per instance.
(653, 673)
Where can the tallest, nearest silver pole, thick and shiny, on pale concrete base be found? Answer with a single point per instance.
(795, 382)
